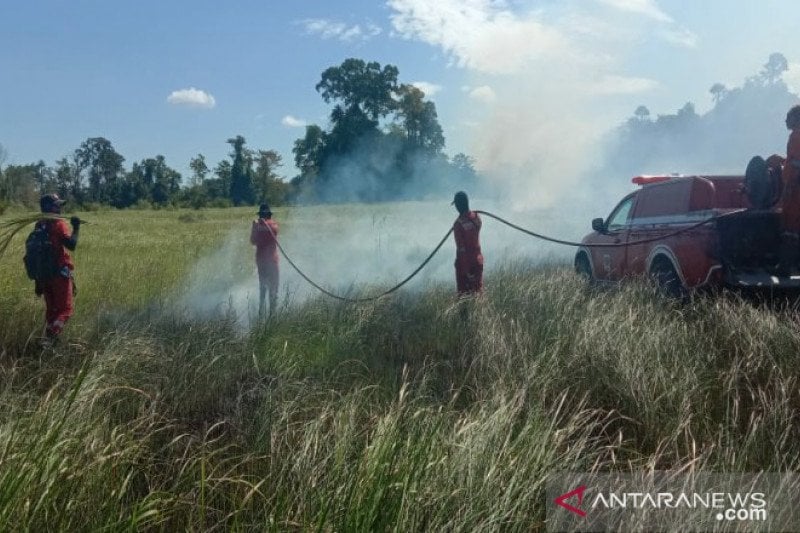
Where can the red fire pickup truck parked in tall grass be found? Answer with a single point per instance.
(737, 247)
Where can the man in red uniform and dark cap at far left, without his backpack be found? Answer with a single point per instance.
(58, 291)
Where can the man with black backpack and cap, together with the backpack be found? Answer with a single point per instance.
(49, 264)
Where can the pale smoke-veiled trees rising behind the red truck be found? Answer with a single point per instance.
(744, 120)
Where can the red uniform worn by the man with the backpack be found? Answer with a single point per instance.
(58, 291)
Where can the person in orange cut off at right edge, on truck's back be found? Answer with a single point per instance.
(790, 197)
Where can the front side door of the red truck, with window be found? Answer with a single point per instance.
(609, 261)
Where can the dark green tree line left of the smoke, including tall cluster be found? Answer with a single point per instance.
(384, 142)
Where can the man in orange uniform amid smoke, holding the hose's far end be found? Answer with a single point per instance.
(263, 235)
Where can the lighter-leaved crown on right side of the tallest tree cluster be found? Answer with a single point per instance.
(420, 120)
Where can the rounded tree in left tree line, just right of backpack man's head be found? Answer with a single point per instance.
(97, 157)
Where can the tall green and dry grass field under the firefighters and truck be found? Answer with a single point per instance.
(417, 412)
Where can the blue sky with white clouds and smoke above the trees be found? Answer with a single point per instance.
(524, 86)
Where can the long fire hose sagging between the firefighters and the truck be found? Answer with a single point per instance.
(503, 221)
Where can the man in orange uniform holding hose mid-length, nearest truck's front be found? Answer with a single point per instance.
(469, 261)
